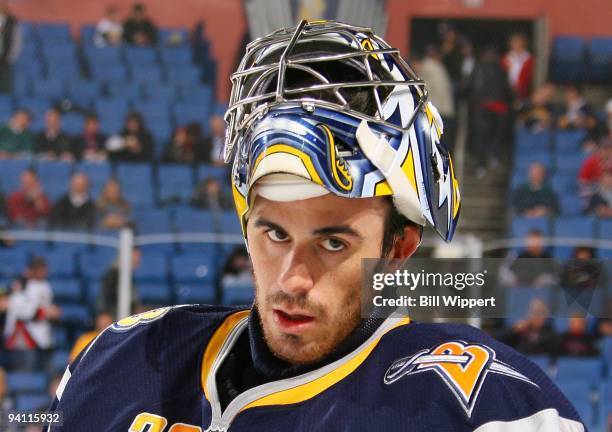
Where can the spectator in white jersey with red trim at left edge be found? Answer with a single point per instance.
(28, 321)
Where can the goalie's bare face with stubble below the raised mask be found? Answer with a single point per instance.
(307, 262)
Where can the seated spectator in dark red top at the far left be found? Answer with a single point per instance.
(29, 206)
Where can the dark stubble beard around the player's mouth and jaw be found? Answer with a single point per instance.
(335, 328)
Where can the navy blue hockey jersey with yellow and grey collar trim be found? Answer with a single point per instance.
(155, 372)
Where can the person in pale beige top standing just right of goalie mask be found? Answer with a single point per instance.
(440, 88)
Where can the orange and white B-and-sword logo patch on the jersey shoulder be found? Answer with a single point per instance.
(463, 367)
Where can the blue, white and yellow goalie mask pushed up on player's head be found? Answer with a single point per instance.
(331, 108)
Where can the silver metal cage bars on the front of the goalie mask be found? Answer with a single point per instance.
(248, 101)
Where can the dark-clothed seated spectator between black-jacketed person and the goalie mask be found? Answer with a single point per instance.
(186, 146)
